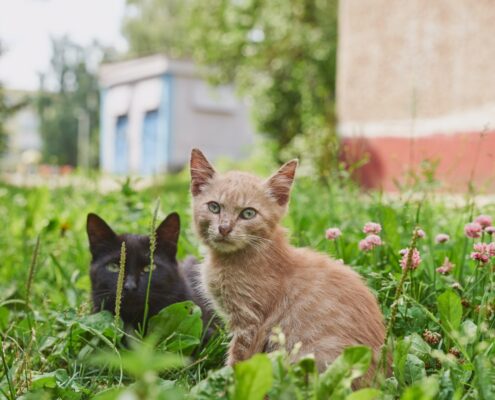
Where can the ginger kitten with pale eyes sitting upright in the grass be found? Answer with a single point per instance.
(258, 281)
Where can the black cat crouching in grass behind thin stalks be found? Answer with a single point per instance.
(170, 282)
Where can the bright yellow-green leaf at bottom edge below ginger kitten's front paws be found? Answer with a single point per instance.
(253, 378)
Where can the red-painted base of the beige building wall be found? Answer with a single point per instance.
(462, 158)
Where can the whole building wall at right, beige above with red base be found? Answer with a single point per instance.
(416, 83)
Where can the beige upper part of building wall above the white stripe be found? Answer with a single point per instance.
(403, 59)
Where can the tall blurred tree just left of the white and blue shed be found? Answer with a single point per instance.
(76, 93)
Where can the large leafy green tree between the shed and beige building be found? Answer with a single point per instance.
(280, 55)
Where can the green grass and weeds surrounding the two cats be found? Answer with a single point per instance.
(52, 347)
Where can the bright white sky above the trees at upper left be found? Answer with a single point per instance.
(27, 25)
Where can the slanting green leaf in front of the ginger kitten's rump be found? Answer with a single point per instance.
(335, 382)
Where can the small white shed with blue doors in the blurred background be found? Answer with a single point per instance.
(155, 109)
